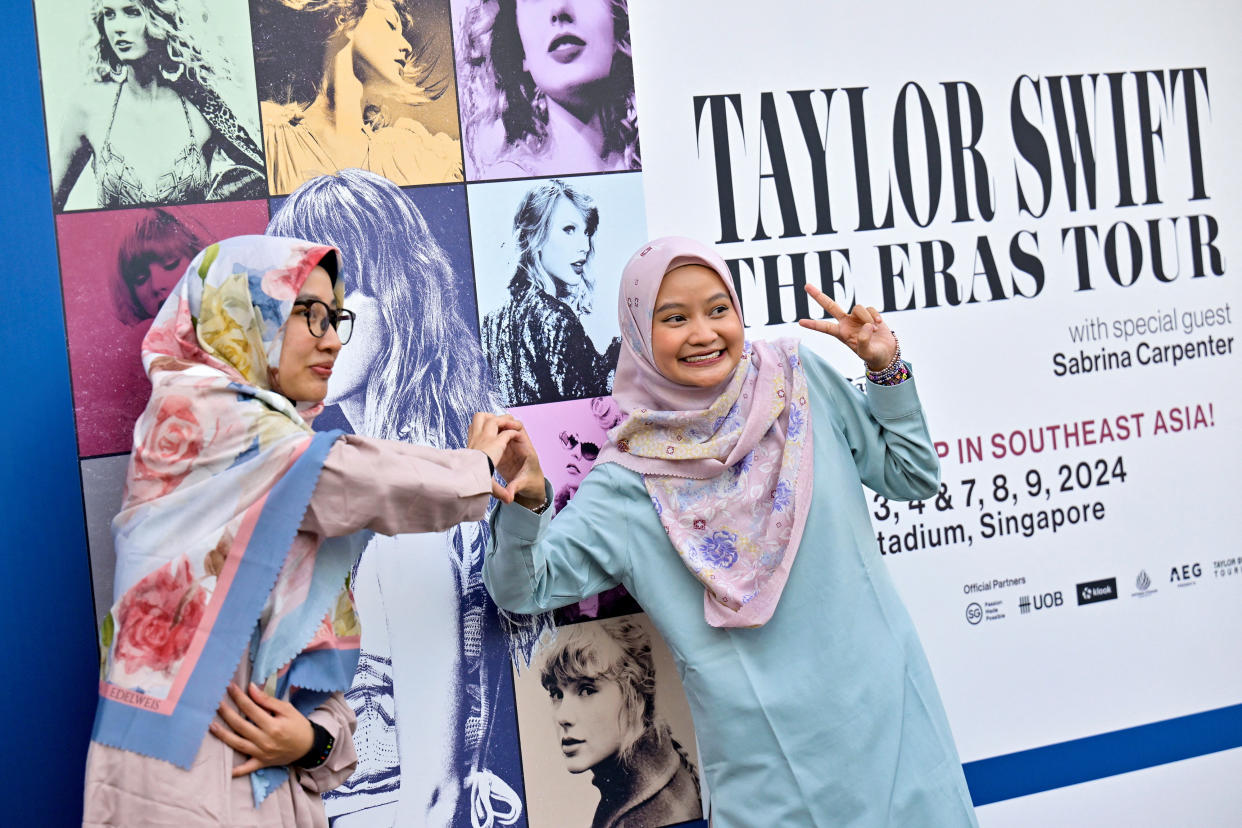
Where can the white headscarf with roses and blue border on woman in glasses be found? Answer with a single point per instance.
(211, 564)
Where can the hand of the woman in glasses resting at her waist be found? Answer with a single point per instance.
(270, 732)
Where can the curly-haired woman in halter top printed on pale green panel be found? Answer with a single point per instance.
(151, 122)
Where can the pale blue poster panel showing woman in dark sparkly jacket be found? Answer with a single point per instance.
(548, 259)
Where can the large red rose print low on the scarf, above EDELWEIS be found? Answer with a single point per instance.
(158, 619)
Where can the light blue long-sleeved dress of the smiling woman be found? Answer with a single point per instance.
(827, 716)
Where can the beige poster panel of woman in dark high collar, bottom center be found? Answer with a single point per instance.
(597, 729)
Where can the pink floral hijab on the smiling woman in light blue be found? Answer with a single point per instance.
(728, 469)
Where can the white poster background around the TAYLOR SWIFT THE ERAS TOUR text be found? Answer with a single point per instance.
(1070, 671)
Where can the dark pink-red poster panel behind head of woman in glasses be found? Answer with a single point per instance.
(117, 268)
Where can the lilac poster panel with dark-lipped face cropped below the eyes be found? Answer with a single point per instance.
(547, 88)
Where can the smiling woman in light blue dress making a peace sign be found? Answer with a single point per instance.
(730, 502)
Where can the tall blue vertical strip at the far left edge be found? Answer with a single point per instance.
(52, 664)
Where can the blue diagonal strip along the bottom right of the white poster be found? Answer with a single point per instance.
(1095, 758)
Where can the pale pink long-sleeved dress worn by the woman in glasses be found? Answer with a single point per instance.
(387, 487)
